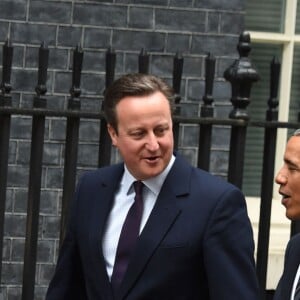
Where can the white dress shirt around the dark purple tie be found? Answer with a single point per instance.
(123, 200)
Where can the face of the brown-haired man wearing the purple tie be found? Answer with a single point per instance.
(145, 135)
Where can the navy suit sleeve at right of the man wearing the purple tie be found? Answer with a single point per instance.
(229, 250)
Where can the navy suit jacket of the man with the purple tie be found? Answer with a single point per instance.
(197, 243)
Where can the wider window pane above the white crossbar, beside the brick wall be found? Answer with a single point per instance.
(266, 16)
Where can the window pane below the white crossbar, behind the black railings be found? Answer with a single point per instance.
(261, 56)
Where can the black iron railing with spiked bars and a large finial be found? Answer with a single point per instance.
(241, 76)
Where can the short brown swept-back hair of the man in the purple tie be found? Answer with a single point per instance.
(134, 84)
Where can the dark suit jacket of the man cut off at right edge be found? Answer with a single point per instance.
(291, 264)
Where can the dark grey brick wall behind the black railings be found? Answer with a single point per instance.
(163, 28)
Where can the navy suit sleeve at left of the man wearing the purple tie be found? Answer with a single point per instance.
(68, 279)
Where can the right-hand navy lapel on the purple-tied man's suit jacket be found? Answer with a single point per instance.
(161, 220)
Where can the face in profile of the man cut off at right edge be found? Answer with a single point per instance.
(289, 179)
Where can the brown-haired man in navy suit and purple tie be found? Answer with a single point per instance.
(195, 239)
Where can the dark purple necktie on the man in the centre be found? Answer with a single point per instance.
(128, 237)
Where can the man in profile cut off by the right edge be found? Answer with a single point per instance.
(288, 178)
